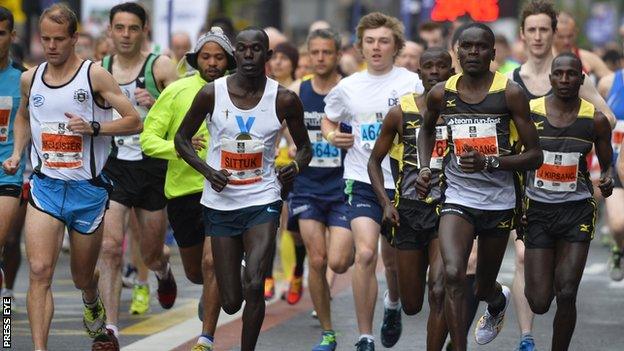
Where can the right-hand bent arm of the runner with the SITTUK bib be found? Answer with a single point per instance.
(290, 110)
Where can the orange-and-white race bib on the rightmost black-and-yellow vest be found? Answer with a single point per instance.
(558, 172)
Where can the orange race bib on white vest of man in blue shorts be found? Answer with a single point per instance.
(61, 148)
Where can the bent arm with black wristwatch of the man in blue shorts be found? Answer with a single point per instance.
(105, 85)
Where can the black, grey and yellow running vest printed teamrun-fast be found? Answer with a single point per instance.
(488, 128)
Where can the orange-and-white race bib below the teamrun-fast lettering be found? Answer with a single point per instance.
(481, 137)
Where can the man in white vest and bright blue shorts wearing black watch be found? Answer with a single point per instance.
(66, 108)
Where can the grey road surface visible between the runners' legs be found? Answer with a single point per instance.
(600, 322)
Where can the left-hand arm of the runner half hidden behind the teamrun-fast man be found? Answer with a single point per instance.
(389, 129)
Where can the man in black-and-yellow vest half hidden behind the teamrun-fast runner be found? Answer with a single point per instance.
(415, 221)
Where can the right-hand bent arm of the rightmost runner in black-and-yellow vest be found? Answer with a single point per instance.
(604, 152)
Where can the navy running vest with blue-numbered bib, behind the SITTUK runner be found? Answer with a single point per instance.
(323, 176)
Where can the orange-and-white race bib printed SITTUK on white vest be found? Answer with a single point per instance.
(243, 159)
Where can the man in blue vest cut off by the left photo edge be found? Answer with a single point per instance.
(10, 72)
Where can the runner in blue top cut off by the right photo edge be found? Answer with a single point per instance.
(611, 88)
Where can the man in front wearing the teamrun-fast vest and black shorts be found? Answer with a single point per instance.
(479, 107)
